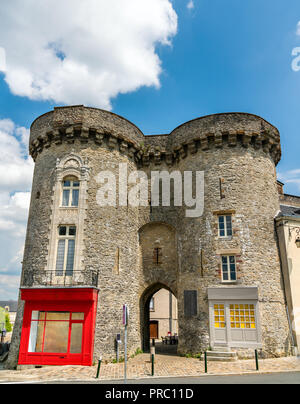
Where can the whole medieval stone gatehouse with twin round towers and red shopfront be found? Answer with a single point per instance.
(83, 261)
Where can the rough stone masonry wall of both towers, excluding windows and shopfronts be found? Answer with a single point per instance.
(238, 154)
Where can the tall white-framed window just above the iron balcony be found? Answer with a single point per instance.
(65, 250)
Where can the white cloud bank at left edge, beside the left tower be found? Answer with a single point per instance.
(16, 169)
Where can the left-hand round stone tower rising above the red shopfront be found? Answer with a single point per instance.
(73, 243)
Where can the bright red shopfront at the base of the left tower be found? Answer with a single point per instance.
(58, 326)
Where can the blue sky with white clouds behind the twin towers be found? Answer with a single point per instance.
(163, 64)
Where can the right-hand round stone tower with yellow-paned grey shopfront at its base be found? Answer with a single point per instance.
(227, 276)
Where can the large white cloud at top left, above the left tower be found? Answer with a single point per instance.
(70, 51)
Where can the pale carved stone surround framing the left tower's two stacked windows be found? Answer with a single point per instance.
(70, 166)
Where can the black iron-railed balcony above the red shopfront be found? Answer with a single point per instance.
(33, 279)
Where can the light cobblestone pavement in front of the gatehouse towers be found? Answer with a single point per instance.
(140, 367)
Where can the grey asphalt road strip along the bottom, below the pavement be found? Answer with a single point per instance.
(274, 378)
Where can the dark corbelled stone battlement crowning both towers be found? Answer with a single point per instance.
(68, 124)
